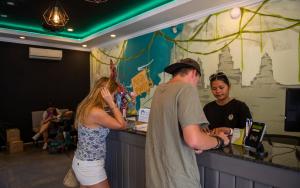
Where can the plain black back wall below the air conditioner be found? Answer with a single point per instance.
(31, 84)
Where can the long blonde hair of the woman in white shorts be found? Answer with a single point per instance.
(94, 99)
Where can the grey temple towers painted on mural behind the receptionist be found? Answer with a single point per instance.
(265, 96)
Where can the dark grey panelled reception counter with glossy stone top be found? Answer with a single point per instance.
(232, 167)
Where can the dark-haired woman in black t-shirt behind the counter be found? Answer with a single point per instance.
(225, 113)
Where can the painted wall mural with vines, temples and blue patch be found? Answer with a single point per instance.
(259, 51)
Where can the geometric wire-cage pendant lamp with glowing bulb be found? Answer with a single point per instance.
(55, 16)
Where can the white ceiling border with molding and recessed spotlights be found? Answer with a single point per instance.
(172, 14)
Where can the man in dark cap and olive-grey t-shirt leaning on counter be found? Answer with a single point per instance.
(174, 134)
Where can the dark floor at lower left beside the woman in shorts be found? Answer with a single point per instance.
(33, 168)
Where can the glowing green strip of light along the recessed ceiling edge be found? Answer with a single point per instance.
(38, 29)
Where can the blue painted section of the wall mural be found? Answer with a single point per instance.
(159, 54)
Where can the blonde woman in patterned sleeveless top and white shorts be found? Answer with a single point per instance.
(93, 124)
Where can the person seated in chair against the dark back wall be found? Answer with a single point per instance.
(50, 114)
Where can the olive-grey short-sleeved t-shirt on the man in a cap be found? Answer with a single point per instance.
(170, 163)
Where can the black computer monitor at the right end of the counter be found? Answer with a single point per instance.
(292, 110)
